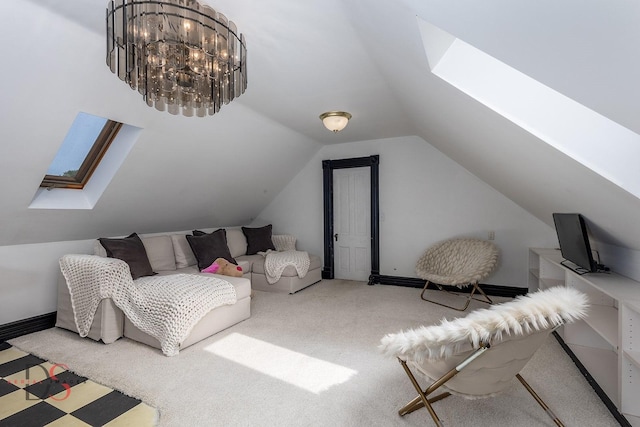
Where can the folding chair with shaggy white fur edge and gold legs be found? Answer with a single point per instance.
(479, 355)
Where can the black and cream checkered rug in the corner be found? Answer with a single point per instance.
(34, 392)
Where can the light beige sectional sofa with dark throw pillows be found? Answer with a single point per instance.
(171, 253)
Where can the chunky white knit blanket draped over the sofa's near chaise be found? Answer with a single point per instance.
(165, 307)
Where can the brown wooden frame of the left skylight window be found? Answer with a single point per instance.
(96, 153)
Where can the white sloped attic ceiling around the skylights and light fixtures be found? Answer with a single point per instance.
(305, 58)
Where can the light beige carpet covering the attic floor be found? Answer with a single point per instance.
(310, 359)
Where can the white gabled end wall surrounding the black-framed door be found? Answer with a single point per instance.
(425, 197)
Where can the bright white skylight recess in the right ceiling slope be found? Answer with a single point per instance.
(590, 138)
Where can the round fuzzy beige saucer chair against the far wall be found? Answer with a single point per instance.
(460, 263)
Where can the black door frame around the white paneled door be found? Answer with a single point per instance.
(327, 192)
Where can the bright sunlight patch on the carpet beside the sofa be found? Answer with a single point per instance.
(300, 370)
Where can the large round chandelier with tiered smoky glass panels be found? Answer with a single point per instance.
(181, 56)
